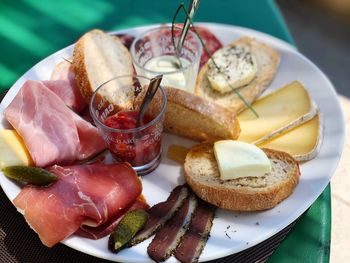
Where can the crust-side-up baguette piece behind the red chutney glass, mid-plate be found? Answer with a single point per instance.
(193, 117)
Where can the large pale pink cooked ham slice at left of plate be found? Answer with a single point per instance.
(52, 132)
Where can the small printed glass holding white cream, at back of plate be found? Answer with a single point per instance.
(153, 53)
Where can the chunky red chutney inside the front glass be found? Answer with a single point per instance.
(137, 148)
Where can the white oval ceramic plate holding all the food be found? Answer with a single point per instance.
(246, 229)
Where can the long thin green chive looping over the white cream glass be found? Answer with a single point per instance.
(189, 16)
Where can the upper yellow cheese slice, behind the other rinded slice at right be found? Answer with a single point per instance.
(288, 107)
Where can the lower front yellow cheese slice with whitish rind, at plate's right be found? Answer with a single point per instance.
(302, 142)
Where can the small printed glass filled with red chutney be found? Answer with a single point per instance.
(139, 146)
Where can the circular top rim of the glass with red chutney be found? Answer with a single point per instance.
(132, 130)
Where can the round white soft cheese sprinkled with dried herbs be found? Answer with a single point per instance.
(237, 68)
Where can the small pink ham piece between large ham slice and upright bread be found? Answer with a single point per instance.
(63, 84)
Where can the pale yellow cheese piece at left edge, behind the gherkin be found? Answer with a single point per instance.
(12, 150)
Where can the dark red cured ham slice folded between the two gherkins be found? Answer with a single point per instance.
(90, 195)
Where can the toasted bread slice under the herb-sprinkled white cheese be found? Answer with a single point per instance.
(267, 60)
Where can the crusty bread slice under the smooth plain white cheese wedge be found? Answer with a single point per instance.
(243, 194)
